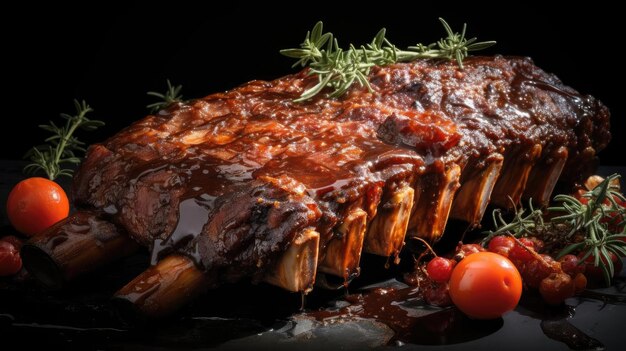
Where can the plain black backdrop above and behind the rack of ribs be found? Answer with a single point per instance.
(112, 54)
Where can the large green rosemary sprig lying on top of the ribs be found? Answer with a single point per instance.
(339, 69)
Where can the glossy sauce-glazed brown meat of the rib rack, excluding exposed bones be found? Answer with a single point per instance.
(230, 178)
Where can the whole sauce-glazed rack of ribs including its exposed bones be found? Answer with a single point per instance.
(248, 183)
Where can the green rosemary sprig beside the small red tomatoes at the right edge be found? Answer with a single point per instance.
(583, 227)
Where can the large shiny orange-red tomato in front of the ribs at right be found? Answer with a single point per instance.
(485, 285)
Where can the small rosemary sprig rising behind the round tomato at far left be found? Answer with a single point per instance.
(62, 146)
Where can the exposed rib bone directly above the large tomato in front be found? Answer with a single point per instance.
(473, 197)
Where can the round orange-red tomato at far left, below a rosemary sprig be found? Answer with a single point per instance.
(35, 204)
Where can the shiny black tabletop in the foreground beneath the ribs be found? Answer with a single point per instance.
(245, 316)
